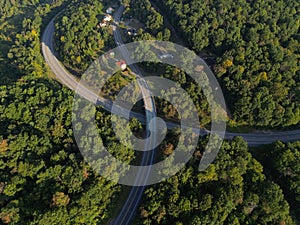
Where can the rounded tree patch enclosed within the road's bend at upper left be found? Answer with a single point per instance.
(79, 38)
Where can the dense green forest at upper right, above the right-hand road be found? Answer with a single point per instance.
(255, 45)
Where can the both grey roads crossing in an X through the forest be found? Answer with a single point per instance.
(132, 202)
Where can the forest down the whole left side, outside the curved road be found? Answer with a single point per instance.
(43, 177)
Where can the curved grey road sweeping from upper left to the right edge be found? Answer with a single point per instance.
(71, 82)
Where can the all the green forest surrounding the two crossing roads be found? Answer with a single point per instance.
(43, 176)
